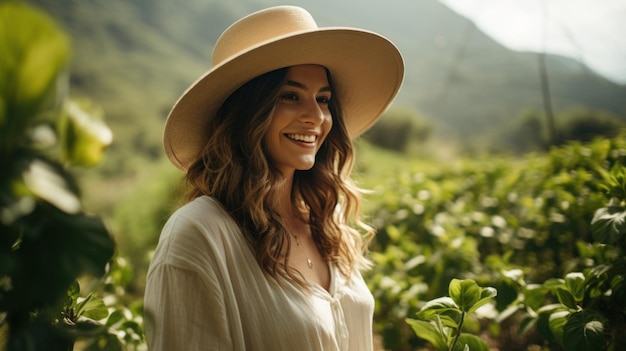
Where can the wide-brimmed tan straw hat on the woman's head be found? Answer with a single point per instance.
(367, 71)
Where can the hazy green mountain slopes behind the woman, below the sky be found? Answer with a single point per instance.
(136, 57)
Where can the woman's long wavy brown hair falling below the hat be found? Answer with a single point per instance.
(234, 169)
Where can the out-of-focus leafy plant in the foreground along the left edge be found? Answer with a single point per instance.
(47, 240)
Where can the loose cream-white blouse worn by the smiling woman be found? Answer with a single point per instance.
(206, 291)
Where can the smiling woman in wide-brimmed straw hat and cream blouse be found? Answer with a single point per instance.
(263, 256)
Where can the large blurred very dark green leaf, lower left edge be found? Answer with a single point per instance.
(56, 249)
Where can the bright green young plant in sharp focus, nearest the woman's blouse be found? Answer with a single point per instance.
(441, 320)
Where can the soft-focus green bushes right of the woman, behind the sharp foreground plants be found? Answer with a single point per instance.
(492, 221)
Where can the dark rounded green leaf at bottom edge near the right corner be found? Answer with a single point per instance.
(584, 331)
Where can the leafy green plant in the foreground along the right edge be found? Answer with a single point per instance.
(589, 308)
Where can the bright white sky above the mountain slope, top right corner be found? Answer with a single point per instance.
(591, 31)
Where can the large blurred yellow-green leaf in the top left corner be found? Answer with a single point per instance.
(35, 54)
